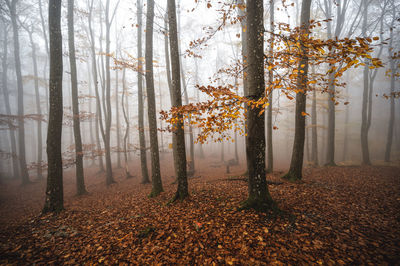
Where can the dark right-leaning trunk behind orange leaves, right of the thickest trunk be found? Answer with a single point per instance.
(296, 164)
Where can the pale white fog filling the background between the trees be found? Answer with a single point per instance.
(220, 50)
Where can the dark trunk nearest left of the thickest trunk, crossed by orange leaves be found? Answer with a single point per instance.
(179, 132)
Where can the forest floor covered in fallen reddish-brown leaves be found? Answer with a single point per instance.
(336, 215)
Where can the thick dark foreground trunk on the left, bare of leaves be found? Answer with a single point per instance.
(54, 190)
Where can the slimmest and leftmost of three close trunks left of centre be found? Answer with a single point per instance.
(142, 140)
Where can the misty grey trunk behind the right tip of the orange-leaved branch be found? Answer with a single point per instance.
(364, 112)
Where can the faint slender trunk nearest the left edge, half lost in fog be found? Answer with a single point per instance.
(7, 105)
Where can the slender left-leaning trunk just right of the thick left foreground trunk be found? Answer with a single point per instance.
(80, 179)
